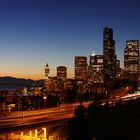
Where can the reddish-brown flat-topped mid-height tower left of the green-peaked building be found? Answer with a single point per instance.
(81, 68)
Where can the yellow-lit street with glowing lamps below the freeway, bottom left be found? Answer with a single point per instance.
(43, 131)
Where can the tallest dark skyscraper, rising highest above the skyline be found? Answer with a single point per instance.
(109, 56)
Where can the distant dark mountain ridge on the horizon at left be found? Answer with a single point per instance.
(12, 81)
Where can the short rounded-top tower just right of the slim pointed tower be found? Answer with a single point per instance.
(62, 73)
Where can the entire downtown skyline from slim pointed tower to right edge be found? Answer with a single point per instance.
(102, 70)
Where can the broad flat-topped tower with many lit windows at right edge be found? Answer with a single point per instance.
(131, 60)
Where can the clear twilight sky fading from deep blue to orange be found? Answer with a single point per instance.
(34, 32)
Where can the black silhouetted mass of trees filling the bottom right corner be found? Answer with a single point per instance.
(119, 122)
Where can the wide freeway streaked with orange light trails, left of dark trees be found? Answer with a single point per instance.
(22, 118)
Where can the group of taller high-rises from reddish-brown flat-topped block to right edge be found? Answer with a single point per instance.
(105, 69)
